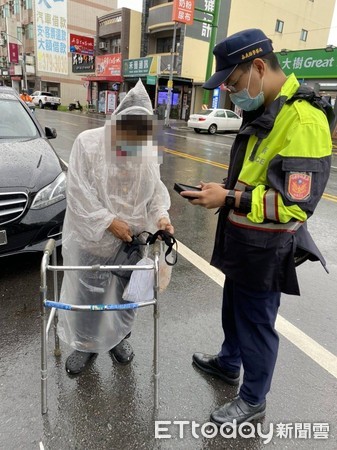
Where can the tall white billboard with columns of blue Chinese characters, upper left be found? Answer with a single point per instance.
(51, 36)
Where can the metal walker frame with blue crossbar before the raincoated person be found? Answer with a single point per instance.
(54, 305)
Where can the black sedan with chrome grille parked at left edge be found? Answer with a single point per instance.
(32, 180)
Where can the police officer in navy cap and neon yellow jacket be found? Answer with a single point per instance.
(279, 167)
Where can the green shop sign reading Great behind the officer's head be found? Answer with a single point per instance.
(317, 63)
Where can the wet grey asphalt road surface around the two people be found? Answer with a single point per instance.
(111, 406)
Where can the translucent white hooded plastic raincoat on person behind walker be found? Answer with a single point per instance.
(98, 191)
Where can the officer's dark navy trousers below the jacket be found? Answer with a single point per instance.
(248, 321)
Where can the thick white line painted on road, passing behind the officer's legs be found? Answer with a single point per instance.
(302, 341)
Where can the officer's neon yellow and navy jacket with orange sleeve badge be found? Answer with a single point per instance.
(281, 160)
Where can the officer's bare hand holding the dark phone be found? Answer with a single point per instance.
(211, 196)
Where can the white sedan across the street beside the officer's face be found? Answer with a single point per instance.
(213, 120)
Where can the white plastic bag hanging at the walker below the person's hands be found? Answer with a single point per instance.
(141, 284)
